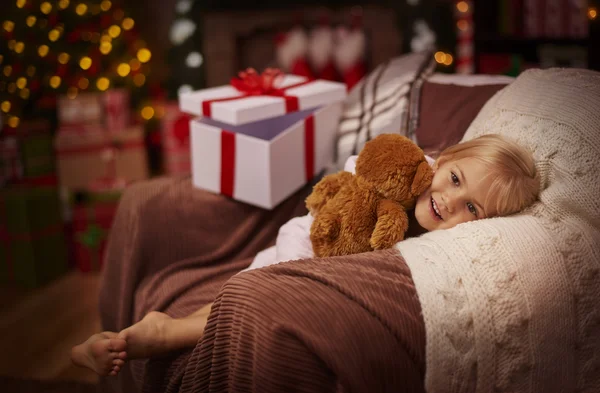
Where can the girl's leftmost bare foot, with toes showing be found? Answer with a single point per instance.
(103, 353)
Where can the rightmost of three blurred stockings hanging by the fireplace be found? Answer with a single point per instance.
(349, 55)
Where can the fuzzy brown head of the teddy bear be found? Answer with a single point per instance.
(395, 167)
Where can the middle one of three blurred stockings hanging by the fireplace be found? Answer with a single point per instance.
(320, 51)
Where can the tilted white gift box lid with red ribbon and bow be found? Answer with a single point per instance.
(253, 97)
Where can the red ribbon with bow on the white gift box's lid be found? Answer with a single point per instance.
(250, 83)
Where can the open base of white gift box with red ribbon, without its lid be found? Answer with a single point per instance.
(263, 163)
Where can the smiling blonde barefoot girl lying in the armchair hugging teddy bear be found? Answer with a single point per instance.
(486, 177)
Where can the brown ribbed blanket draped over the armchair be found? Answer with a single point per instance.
(338, 324)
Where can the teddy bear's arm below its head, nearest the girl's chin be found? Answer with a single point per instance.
(392, 223)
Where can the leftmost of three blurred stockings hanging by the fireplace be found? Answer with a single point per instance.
(291, 52)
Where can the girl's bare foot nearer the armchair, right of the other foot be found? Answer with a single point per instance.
(147, 337)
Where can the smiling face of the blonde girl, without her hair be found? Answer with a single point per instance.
(456, 195)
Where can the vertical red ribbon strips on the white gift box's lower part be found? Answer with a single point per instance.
(228, 156)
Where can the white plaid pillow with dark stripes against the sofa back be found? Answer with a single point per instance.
(381, 103)
